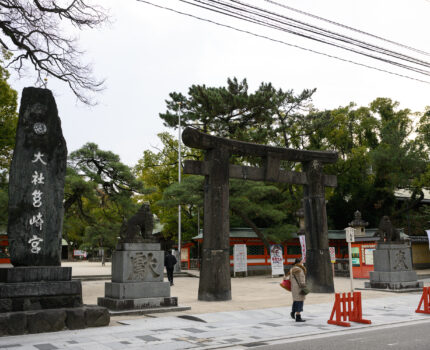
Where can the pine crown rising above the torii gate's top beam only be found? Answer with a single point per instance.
(235, 113)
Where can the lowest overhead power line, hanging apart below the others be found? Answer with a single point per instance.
(282, 42)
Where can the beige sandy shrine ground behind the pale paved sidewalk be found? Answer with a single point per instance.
(248, 293)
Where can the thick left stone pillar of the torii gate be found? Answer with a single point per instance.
(215, 282)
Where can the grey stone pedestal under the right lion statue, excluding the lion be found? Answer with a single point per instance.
(393, 268)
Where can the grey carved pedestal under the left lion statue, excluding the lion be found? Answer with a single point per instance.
(137, 279)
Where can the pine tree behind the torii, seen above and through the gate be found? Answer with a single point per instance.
(267, 116)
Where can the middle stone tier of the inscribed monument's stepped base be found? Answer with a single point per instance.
(35, 289)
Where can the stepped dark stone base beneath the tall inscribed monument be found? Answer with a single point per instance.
(44, 299)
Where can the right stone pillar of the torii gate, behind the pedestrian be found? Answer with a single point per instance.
(320, 275)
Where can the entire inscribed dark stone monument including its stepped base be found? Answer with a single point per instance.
(37, 294)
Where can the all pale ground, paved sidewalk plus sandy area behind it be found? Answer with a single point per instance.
(258, 314)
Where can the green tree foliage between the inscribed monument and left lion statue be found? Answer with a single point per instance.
(99, 196)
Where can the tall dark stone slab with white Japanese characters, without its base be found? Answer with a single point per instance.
(36, 183)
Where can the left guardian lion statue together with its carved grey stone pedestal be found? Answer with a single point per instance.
(138, 271)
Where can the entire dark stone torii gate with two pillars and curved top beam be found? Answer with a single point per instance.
(215, 283)
